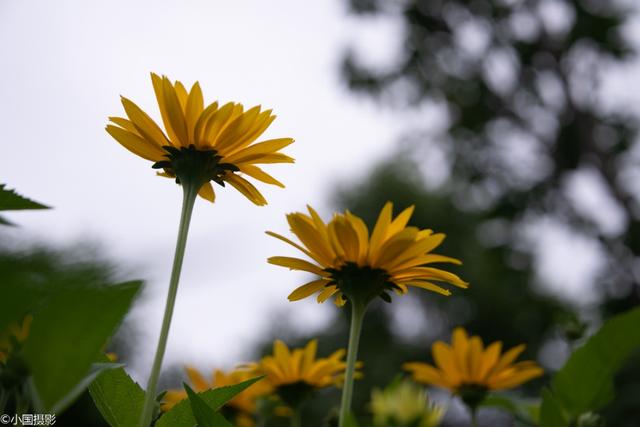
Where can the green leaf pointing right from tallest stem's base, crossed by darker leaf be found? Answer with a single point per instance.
(181, 414)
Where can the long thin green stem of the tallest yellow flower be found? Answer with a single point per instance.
(190, 191)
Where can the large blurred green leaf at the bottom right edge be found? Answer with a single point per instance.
(585, 382)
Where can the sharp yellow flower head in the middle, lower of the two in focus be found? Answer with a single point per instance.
(352, 263)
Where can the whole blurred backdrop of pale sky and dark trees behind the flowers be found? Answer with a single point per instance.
(510, 124)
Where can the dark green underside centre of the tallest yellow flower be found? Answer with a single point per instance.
(193, 166)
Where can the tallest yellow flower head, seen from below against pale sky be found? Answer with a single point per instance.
(212, 143)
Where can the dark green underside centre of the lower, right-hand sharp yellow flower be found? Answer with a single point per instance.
(362, 284)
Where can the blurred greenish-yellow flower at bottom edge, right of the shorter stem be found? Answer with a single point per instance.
(404, 404)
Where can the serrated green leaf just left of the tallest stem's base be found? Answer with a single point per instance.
(118, 398)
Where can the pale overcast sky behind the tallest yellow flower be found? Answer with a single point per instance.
(65, 64)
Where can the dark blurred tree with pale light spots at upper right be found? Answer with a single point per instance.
(521, 83)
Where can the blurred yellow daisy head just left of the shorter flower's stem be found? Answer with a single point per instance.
(296, 373)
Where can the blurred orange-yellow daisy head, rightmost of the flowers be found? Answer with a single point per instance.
(468, 369)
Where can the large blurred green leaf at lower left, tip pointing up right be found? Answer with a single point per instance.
(68, 333)
